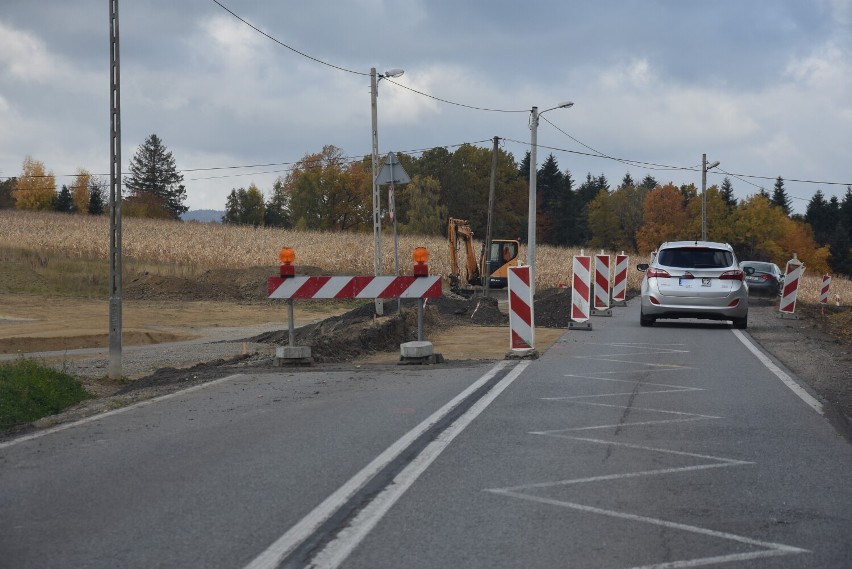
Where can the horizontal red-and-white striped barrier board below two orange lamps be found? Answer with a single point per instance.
(355, 287)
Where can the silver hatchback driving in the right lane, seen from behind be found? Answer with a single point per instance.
(694, 279)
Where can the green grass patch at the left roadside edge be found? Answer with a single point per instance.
(30, 391)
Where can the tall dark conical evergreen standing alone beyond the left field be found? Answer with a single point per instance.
(153, 172)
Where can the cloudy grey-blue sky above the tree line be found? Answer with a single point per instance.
(239, 90)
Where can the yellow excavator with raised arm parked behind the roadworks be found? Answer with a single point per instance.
(503, 254)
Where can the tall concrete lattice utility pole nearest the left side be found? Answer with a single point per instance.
(115, 269)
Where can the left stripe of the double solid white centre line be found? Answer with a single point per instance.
(282, 547)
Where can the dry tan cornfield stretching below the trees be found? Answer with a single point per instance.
(209, 245)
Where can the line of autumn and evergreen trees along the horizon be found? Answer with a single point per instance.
(328, 191)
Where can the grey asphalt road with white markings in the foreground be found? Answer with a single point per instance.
(672, 446)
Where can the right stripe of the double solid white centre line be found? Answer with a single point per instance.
(348, 539)
